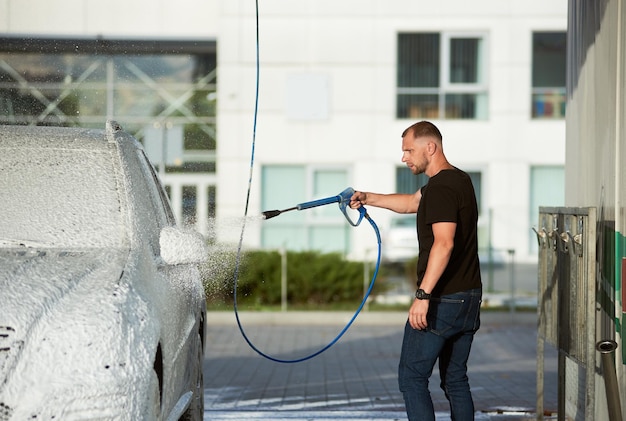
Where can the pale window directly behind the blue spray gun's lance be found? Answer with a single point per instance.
(322, 228)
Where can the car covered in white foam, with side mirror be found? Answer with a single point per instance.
(102, 307)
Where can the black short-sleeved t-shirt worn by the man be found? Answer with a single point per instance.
(449, 197)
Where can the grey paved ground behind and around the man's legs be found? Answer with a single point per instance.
(356, 378)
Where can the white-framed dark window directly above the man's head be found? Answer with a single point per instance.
(441, 75)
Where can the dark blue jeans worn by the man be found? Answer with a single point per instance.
(452, 321)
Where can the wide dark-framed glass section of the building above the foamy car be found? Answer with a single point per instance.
(156, 89)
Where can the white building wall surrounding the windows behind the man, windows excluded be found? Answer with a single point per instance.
(352, 43)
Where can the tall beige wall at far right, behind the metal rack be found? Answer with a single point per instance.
(595, 175)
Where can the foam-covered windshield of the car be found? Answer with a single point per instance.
(60, 198)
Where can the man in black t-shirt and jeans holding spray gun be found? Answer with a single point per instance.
(444, 315)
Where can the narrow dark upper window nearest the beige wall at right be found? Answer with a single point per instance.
(549, 75)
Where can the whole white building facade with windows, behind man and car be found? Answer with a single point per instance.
(338, 82)
